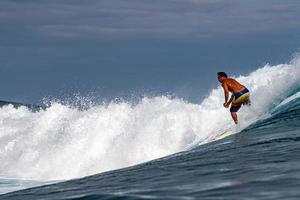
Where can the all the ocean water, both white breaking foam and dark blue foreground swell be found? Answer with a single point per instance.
(159, 147)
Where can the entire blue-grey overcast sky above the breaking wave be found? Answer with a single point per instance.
(54, 47)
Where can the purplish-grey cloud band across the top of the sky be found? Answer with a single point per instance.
(147, 18)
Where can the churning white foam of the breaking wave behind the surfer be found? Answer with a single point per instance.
(62, 142)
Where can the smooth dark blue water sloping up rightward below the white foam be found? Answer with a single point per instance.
(244, 163)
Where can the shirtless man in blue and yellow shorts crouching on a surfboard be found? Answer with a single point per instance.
(240, 94)
